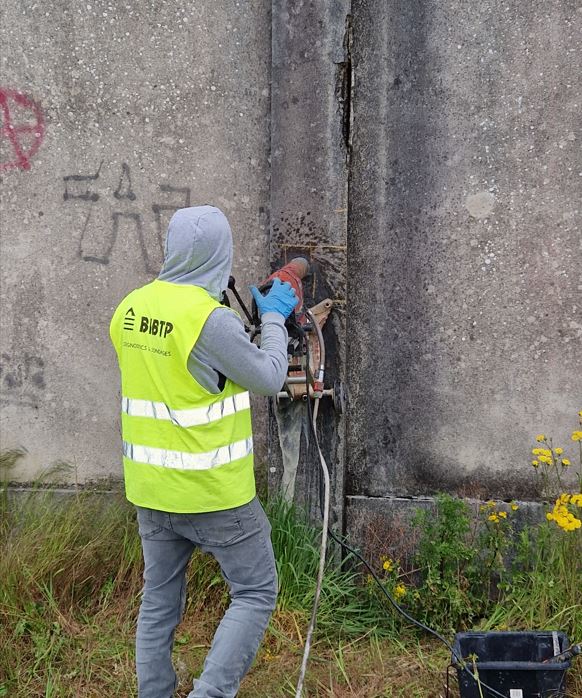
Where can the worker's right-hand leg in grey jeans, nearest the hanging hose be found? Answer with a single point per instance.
(240, 540)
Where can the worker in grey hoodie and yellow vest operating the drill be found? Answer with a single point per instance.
(187, 365)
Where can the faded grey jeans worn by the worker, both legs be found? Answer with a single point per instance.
(240, 541)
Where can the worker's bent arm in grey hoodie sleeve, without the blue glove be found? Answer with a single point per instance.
(225, 348)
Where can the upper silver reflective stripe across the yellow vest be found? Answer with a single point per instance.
(186, 418)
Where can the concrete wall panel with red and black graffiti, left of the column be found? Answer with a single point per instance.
(122, 112)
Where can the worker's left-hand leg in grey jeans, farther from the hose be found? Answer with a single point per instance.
(166, 555)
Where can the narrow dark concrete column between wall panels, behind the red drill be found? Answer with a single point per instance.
(310, 122)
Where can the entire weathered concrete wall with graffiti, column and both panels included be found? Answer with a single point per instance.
(439, 142)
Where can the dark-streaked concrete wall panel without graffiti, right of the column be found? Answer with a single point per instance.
(465, 244)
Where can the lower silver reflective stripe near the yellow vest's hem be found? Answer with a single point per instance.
(179, 460)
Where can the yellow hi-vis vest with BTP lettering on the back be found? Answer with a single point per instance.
(184, 449)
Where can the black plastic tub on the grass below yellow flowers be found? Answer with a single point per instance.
(512, 663)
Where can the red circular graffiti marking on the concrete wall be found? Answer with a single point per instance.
(24, 138)
